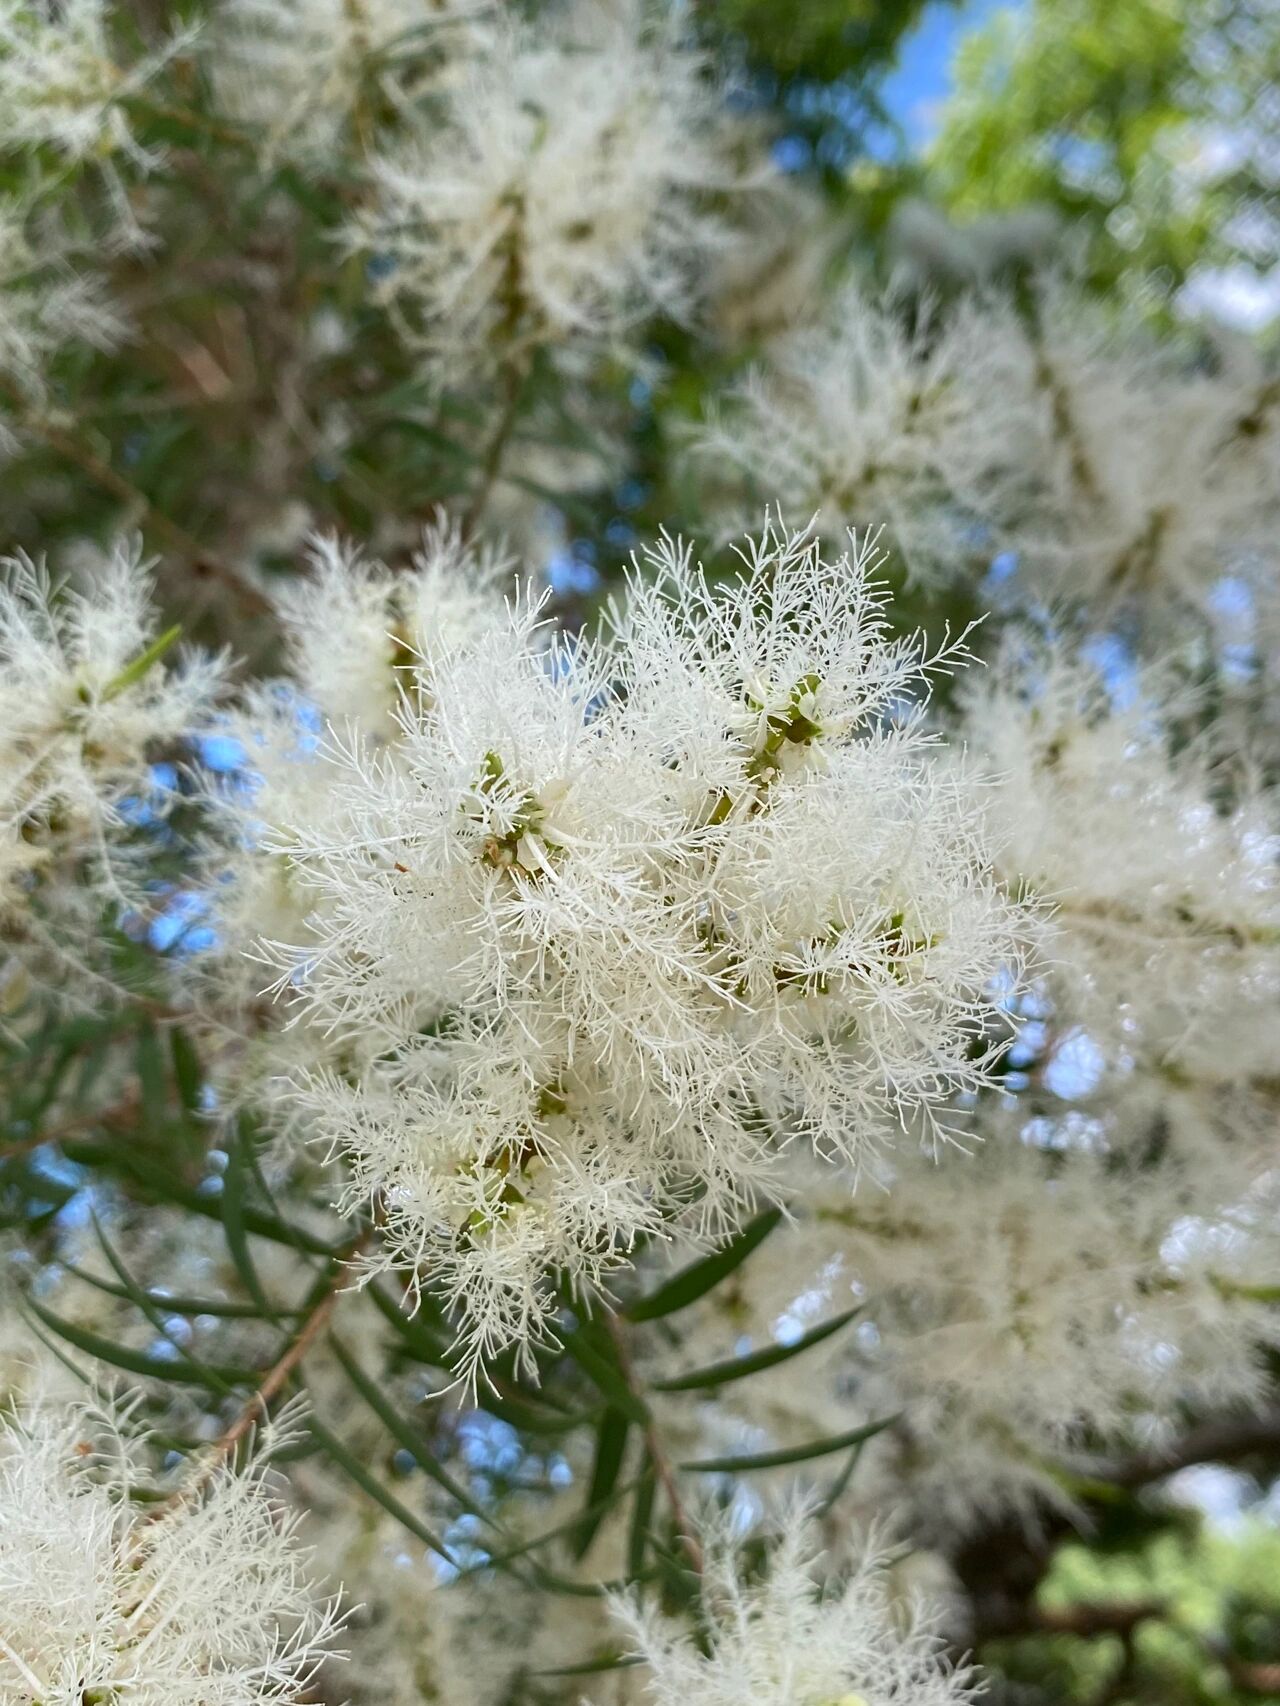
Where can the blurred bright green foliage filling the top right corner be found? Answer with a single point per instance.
(1153, 125)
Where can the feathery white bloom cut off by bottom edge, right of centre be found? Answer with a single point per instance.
(789, 1642)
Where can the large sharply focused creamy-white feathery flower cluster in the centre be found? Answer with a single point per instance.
(607, 924)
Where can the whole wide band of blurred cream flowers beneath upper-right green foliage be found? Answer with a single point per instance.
(1114, 473)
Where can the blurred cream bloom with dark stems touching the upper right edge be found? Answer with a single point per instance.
(1132, 480)
